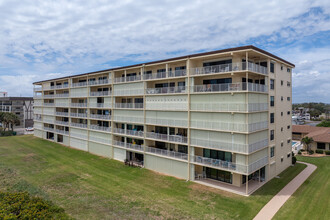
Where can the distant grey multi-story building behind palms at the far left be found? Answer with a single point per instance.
(20, 106)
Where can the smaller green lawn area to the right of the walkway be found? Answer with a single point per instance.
(311, 200)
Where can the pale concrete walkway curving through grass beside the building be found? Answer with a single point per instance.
(270, 209)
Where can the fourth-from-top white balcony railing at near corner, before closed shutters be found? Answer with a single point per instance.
(229, 126)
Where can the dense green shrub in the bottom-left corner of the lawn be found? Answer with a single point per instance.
(20, 205)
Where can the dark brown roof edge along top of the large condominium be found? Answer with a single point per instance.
(248, 47)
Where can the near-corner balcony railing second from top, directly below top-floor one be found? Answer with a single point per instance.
(230, 87)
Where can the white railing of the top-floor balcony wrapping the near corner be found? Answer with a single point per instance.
(230, 67)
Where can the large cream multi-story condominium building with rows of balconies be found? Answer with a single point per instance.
(219, 118)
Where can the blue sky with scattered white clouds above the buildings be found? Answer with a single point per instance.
(44, 39)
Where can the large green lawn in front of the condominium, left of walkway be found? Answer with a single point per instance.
(92, 187)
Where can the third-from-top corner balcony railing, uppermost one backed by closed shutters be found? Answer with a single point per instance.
(229, 107)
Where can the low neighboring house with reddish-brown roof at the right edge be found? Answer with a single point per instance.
(320, 135)
